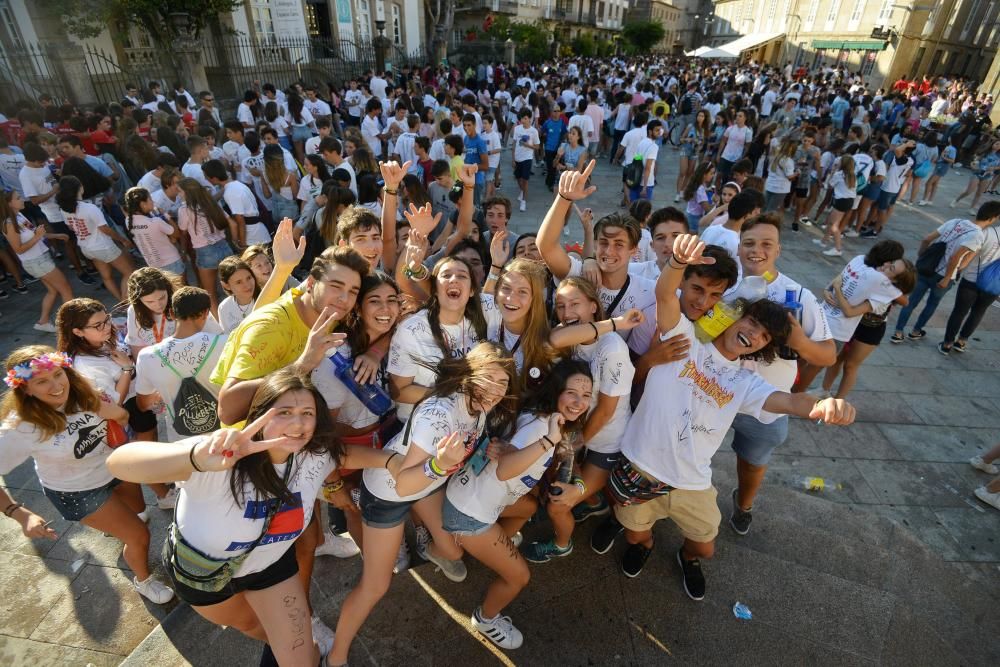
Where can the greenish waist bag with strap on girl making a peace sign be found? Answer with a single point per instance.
(199, 571)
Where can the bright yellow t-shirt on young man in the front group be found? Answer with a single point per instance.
(267, 340)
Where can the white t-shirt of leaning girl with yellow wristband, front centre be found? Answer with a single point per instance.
(435, 418)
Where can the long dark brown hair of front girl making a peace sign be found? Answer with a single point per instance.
(257, 469)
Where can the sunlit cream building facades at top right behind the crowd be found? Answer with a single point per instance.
(883, 39)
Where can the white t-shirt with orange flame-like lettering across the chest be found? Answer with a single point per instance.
(686, 410)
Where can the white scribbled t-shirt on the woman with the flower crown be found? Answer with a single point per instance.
(73, 460)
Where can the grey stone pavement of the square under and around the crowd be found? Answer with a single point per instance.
(893, 562)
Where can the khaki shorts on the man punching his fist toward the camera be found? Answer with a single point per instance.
(696, 513)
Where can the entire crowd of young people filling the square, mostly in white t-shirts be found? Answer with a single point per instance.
(320, 299)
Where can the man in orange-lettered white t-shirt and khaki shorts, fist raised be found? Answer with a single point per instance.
(665, 467)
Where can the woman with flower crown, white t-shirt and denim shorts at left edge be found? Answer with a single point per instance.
(53, 415)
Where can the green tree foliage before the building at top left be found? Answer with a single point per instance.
(87, 18)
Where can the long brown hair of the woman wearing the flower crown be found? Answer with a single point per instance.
(81, 397)
